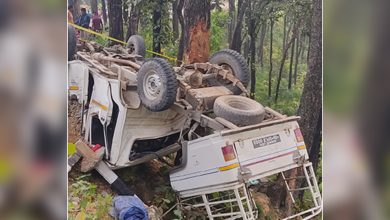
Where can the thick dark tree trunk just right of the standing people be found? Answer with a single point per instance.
(115, 19)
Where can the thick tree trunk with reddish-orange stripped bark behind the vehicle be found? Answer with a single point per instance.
(196, 30)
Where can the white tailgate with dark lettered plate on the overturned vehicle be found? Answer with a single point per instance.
(267, 151)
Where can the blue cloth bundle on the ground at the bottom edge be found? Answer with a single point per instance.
(130, 208)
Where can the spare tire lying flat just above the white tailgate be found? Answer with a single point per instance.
(239, 110)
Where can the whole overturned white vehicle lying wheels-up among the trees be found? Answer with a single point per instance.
(141, 110)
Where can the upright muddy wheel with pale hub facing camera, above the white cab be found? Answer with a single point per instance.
(156, 84)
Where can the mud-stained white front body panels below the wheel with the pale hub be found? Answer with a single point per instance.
(132, 123)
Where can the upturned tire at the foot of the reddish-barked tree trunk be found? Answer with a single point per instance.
(232, 60)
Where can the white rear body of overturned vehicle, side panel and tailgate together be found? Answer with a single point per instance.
(206, 166)
